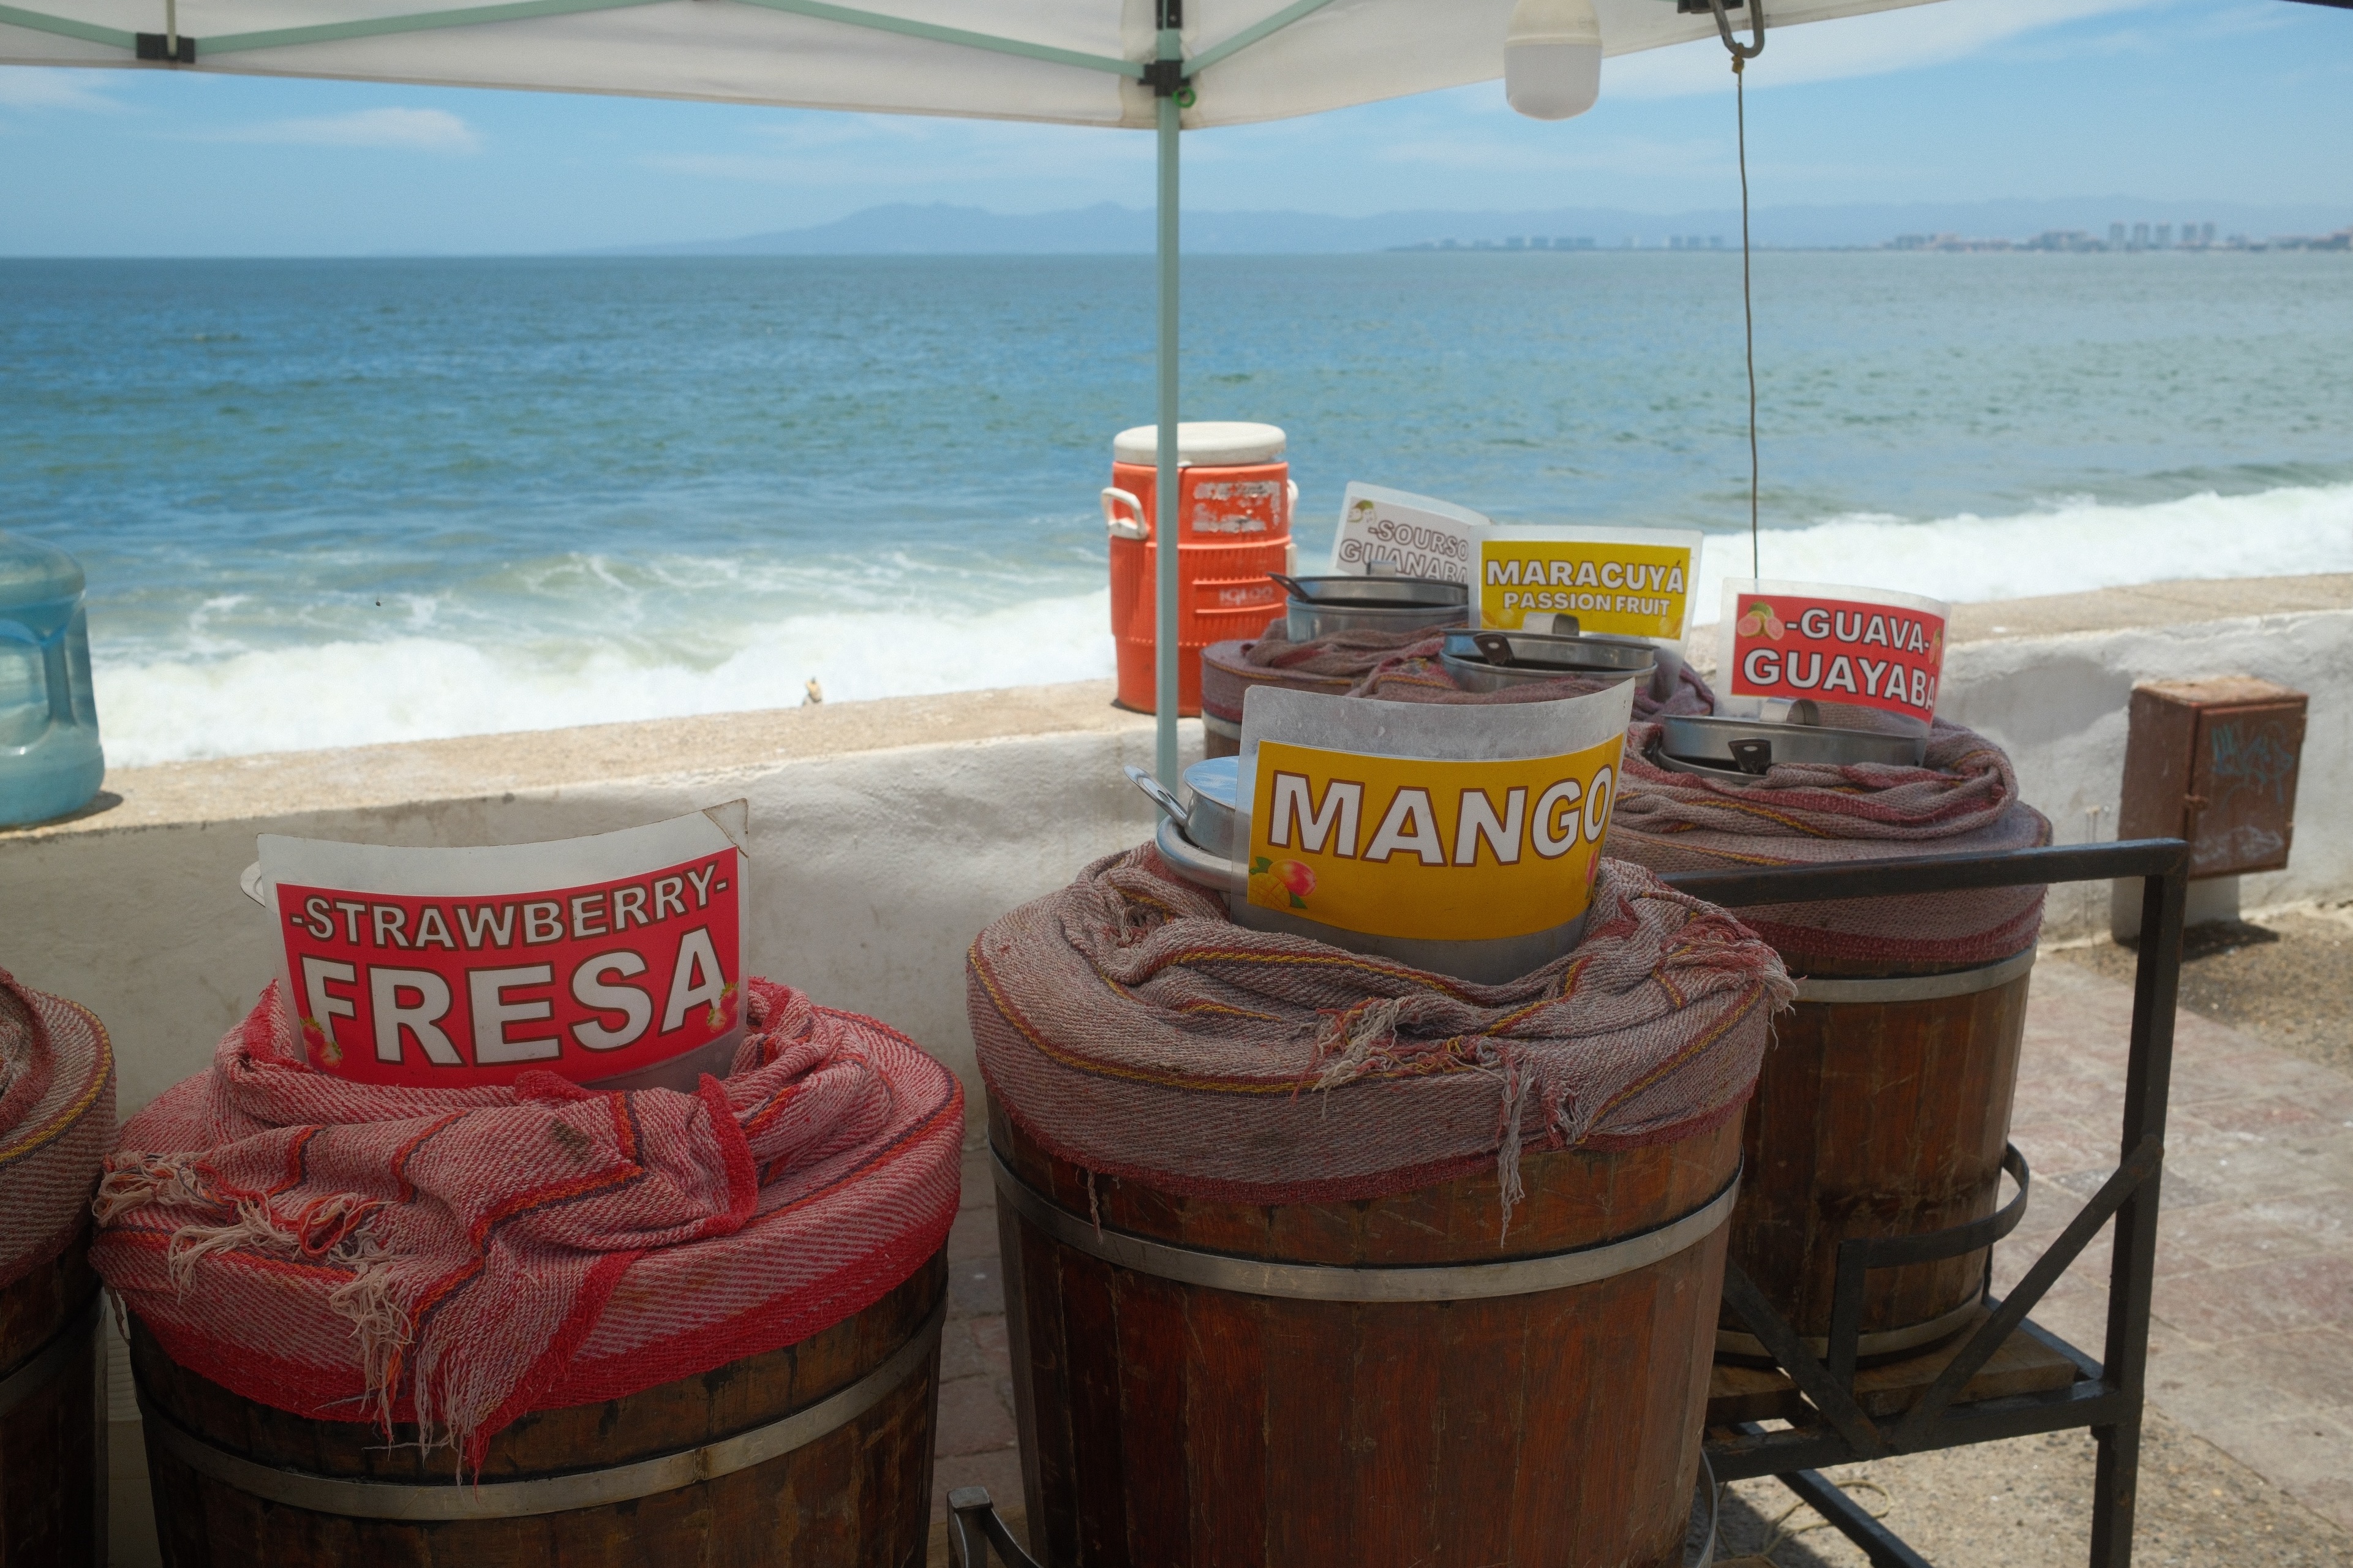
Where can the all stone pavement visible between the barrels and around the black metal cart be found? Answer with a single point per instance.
(2251, 1444)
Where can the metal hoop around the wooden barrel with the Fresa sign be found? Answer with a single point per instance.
(587, 1489)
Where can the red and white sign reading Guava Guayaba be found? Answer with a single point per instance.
(1837, 646)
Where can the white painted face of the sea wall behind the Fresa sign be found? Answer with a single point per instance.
(872, 877)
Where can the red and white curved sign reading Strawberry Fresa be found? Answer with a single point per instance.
(596, 959)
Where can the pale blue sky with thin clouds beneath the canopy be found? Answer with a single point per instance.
(1966, 100)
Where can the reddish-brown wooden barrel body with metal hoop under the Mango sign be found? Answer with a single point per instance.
(1366, 1383)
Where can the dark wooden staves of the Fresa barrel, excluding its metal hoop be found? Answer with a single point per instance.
(858, 1496)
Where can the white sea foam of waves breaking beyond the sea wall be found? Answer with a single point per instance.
(413, 686)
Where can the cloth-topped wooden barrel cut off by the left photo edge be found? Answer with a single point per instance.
(58, 1115)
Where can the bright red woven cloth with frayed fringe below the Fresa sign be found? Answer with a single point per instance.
(458, 1258)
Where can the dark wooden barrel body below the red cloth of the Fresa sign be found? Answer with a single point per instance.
(815, 1456)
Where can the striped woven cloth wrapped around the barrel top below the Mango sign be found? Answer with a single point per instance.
(1131, 1028)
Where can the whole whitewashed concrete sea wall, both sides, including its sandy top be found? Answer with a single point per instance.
(886, 835)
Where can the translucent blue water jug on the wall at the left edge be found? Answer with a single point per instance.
(51, 759)
